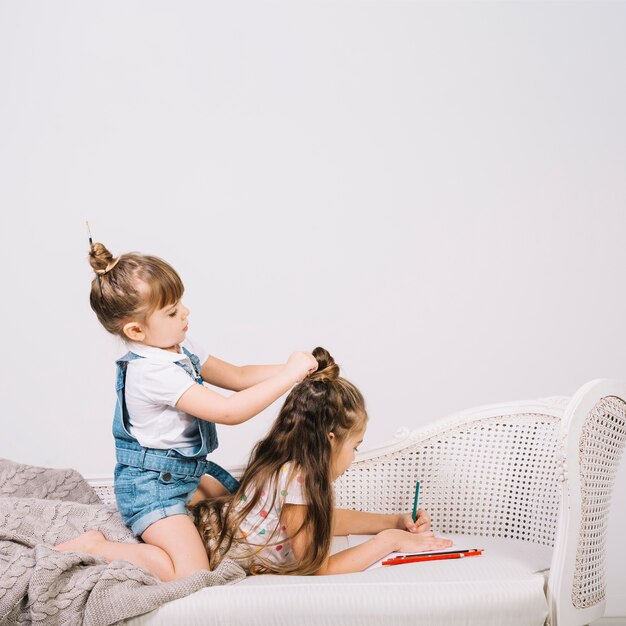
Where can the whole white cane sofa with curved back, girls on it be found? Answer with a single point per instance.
(531, 483)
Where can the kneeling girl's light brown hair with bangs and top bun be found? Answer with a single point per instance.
(130, 287)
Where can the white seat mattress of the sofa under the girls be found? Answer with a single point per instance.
(503, 587)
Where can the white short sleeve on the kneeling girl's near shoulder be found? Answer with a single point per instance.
(157, 383)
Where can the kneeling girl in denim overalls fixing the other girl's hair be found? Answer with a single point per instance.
(164, 423)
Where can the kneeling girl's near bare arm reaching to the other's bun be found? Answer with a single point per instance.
(206, 404)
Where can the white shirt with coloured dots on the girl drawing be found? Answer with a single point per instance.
(262, 526)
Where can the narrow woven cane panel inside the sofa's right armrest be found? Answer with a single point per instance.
(602, 443)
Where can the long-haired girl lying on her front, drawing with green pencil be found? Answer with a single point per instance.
(281, 519)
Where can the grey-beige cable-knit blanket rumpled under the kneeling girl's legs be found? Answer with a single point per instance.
(40, 508)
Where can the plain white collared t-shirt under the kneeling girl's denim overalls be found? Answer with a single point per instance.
(153, 386)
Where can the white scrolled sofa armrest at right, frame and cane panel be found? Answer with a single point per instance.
(594, 437)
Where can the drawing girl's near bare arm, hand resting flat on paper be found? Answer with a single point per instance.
(360, 557)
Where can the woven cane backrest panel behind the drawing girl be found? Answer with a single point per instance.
(496, 477)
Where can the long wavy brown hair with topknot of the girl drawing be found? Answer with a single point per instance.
(322, 403)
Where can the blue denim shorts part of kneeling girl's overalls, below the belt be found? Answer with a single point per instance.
(145, 496)
